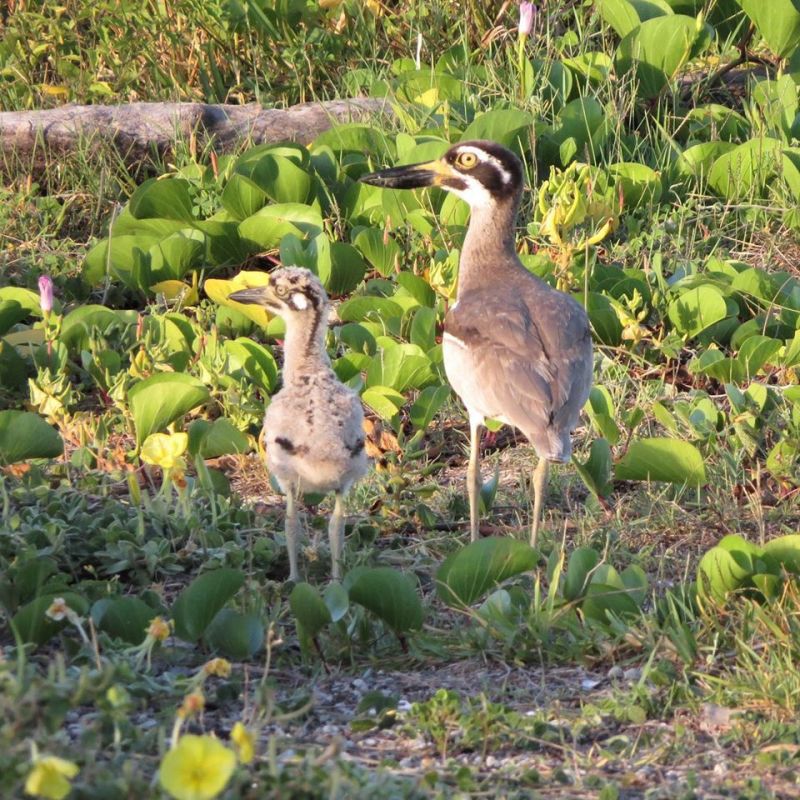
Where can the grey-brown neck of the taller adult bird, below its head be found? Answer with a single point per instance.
(489, 245)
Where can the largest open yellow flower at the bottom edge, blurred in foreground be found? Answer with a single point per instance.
(198, 768)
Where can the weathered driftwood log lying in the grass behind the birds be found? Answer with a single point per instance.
(140, 130)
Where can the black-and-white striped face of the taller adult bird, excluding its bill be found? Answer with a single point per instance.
(487, 173)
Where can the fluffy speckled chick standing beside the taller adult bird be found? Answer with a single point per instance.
(313, 425)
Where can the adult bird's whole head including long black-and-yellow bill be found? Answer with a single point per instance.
(484, 174)
